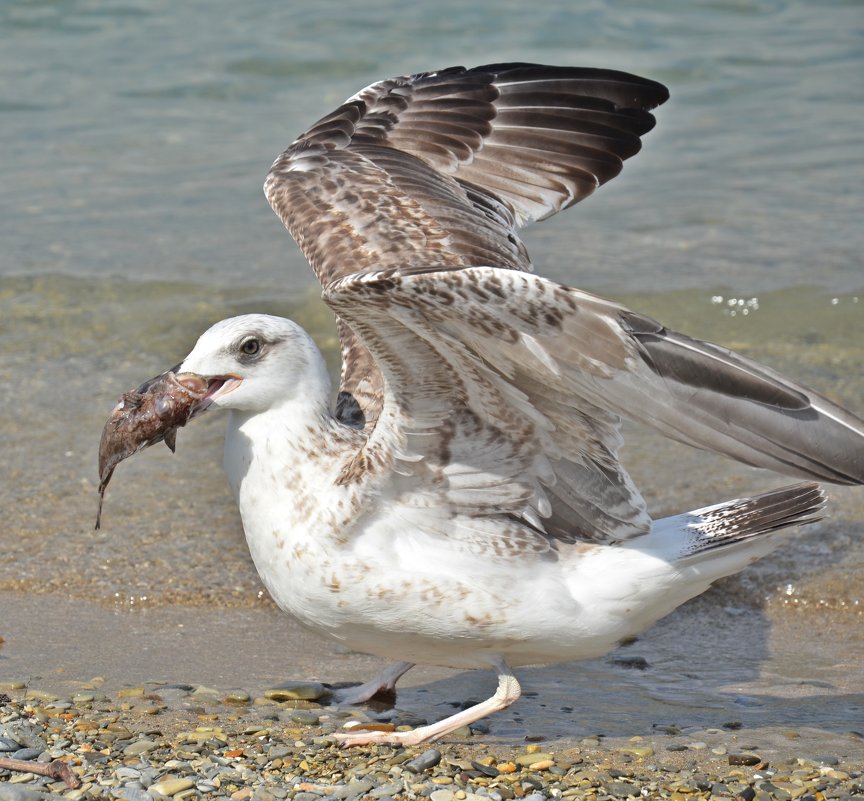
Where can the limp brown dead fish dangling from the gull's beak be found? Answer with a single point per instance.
(149, 414)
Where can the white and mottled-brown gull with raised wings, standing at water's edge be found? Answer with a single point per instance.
(462, 502)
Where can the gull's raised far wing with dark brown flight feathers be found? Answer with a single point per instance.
(442, 168)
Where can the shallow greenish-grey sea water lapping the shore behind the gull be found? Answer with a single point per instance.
(136, 138)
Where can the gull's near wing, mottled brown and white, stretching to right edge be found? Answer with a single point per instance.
(503, 393)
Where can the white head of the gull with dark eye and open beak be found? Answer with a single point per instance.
(256, 362)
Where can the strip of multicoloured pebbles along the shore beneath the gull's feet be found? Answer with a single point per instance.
(200, 745)
